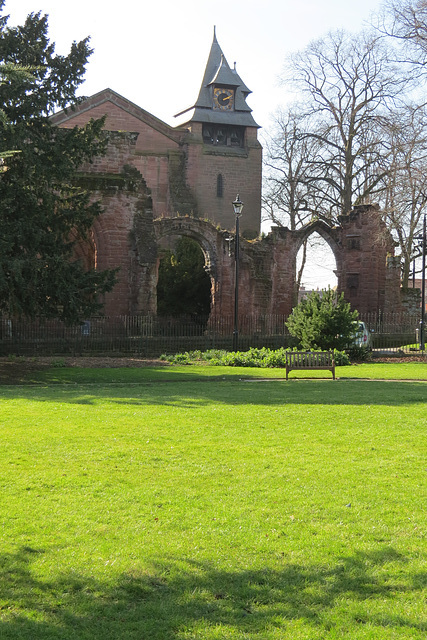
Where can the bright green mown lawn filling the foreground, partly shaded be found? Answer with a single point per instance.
(197, 503)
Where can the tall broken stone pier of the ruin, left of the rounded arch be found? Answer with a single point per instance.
(122, 236)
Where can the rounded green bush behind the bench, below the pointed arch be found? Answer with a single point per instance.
(323, 320)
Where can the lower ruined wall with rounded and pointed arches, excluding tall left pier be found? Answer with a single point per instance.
(361, 246)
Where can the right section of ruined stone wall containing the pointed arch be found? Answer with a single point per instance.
(362, 247)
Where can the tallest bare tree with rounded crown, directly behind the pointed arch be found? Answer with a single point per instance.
(351, 86)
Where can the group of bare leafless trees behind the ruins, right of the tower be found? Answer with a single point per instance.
(355, 140)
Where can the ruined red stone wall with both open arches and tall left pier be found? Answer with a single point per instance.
(127, 237)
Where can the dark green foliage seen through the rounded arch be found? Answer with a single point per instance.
(184, 287)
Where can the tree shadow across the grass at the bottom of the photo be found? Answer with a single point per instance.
(175, 599)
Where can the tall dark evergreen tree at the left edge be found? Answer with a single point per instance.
(45, 218)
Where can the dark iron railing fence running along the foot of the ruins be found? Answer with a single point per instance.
(150, 336)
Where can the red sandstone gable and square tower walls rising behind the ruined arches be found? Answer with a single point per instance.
(241, 168)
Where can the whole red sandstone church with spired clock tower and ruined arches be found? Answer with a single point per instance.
(158, 182)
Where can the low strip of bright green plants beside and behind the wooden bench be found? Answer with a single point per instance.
(253, 357)
